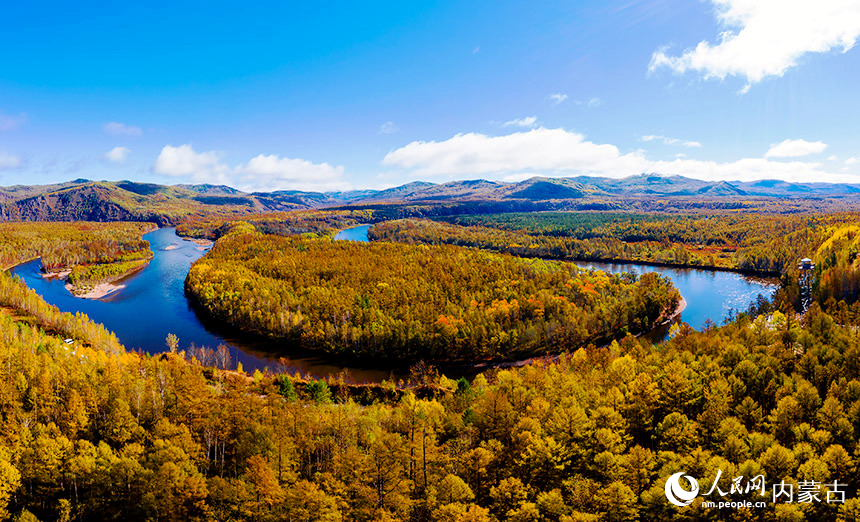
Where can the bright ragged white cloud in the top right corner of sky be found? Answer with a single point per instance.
(765, 38)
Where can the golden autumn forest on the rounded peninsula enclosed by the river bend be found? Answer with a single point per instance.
(389, 300)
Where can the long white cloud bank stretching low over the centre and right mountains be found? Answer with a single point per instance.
(563, 153)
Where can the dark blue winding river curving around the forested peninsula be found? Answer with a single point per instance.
(153, 304)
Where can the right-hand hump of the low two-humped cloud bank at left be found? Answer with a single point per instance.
(266, 173)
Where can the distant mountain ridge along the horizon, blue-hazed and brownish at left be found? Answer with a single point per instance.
(82, 199)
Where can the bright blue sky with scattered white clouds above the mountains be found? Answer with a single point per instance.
(373, 94)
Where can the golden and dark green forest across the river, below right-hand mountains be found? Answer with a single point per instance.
(759, 243)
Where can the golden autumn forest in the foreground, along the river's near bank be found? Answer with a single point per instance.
(92, 432)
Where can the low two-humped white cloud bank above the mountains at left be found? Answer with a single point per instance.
(261, 173)
